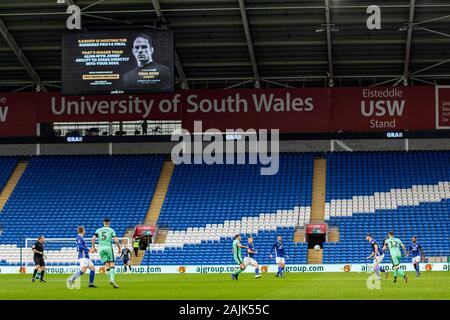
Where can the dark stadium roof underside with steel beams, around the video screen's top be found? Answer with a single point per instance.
(227, 43)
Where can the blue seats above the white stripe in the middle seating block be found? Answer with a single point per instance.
(209, 194)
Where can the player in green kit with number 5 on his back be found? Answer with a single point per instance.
(105, 235)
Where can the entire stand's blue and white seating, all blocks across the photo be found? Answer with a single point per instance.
(206, 205)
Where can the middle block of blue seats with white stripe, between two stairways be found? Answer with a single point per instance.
(206, 205)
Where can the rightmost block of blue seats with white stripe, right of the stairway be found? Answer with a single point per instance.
(377, 192)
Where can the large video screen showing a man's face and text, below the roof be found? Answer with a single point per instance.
(117, 62)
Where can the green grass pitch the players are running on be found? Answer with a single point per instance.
(432, 285)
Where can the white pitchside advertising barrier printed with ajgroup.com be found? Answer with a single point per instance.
(225, 269)
